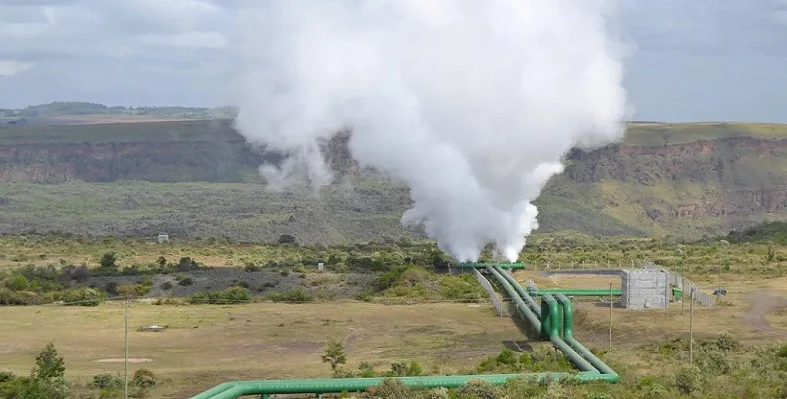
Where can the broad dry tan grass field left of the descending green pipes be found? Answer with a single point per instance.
(206, 345)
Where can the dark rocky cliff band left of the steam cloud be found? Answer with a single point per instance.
(226, 157)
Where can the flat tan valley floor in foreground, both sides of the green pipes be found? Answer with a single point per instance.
(205, 345)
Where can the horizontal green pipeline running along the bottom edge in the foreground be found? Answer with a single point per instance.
(234, 390)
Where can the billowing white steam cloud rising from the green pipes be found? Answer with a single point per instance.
(472, 102)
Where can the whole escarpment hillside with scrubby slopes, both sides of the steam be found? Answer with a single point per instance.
(685, 180)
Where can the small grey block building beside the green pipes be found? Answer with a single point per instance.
(644, 289)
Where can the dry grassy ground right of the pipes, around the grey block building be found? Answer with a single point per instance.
(633, 328)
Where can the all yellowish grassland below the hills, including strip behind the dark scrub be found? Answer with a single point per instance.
(205, 345)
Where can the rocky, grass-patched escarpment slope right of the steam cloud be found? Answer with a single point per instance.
(700, 187)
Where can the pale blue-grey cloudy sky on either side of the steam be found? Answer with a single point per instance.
(689, 60)
